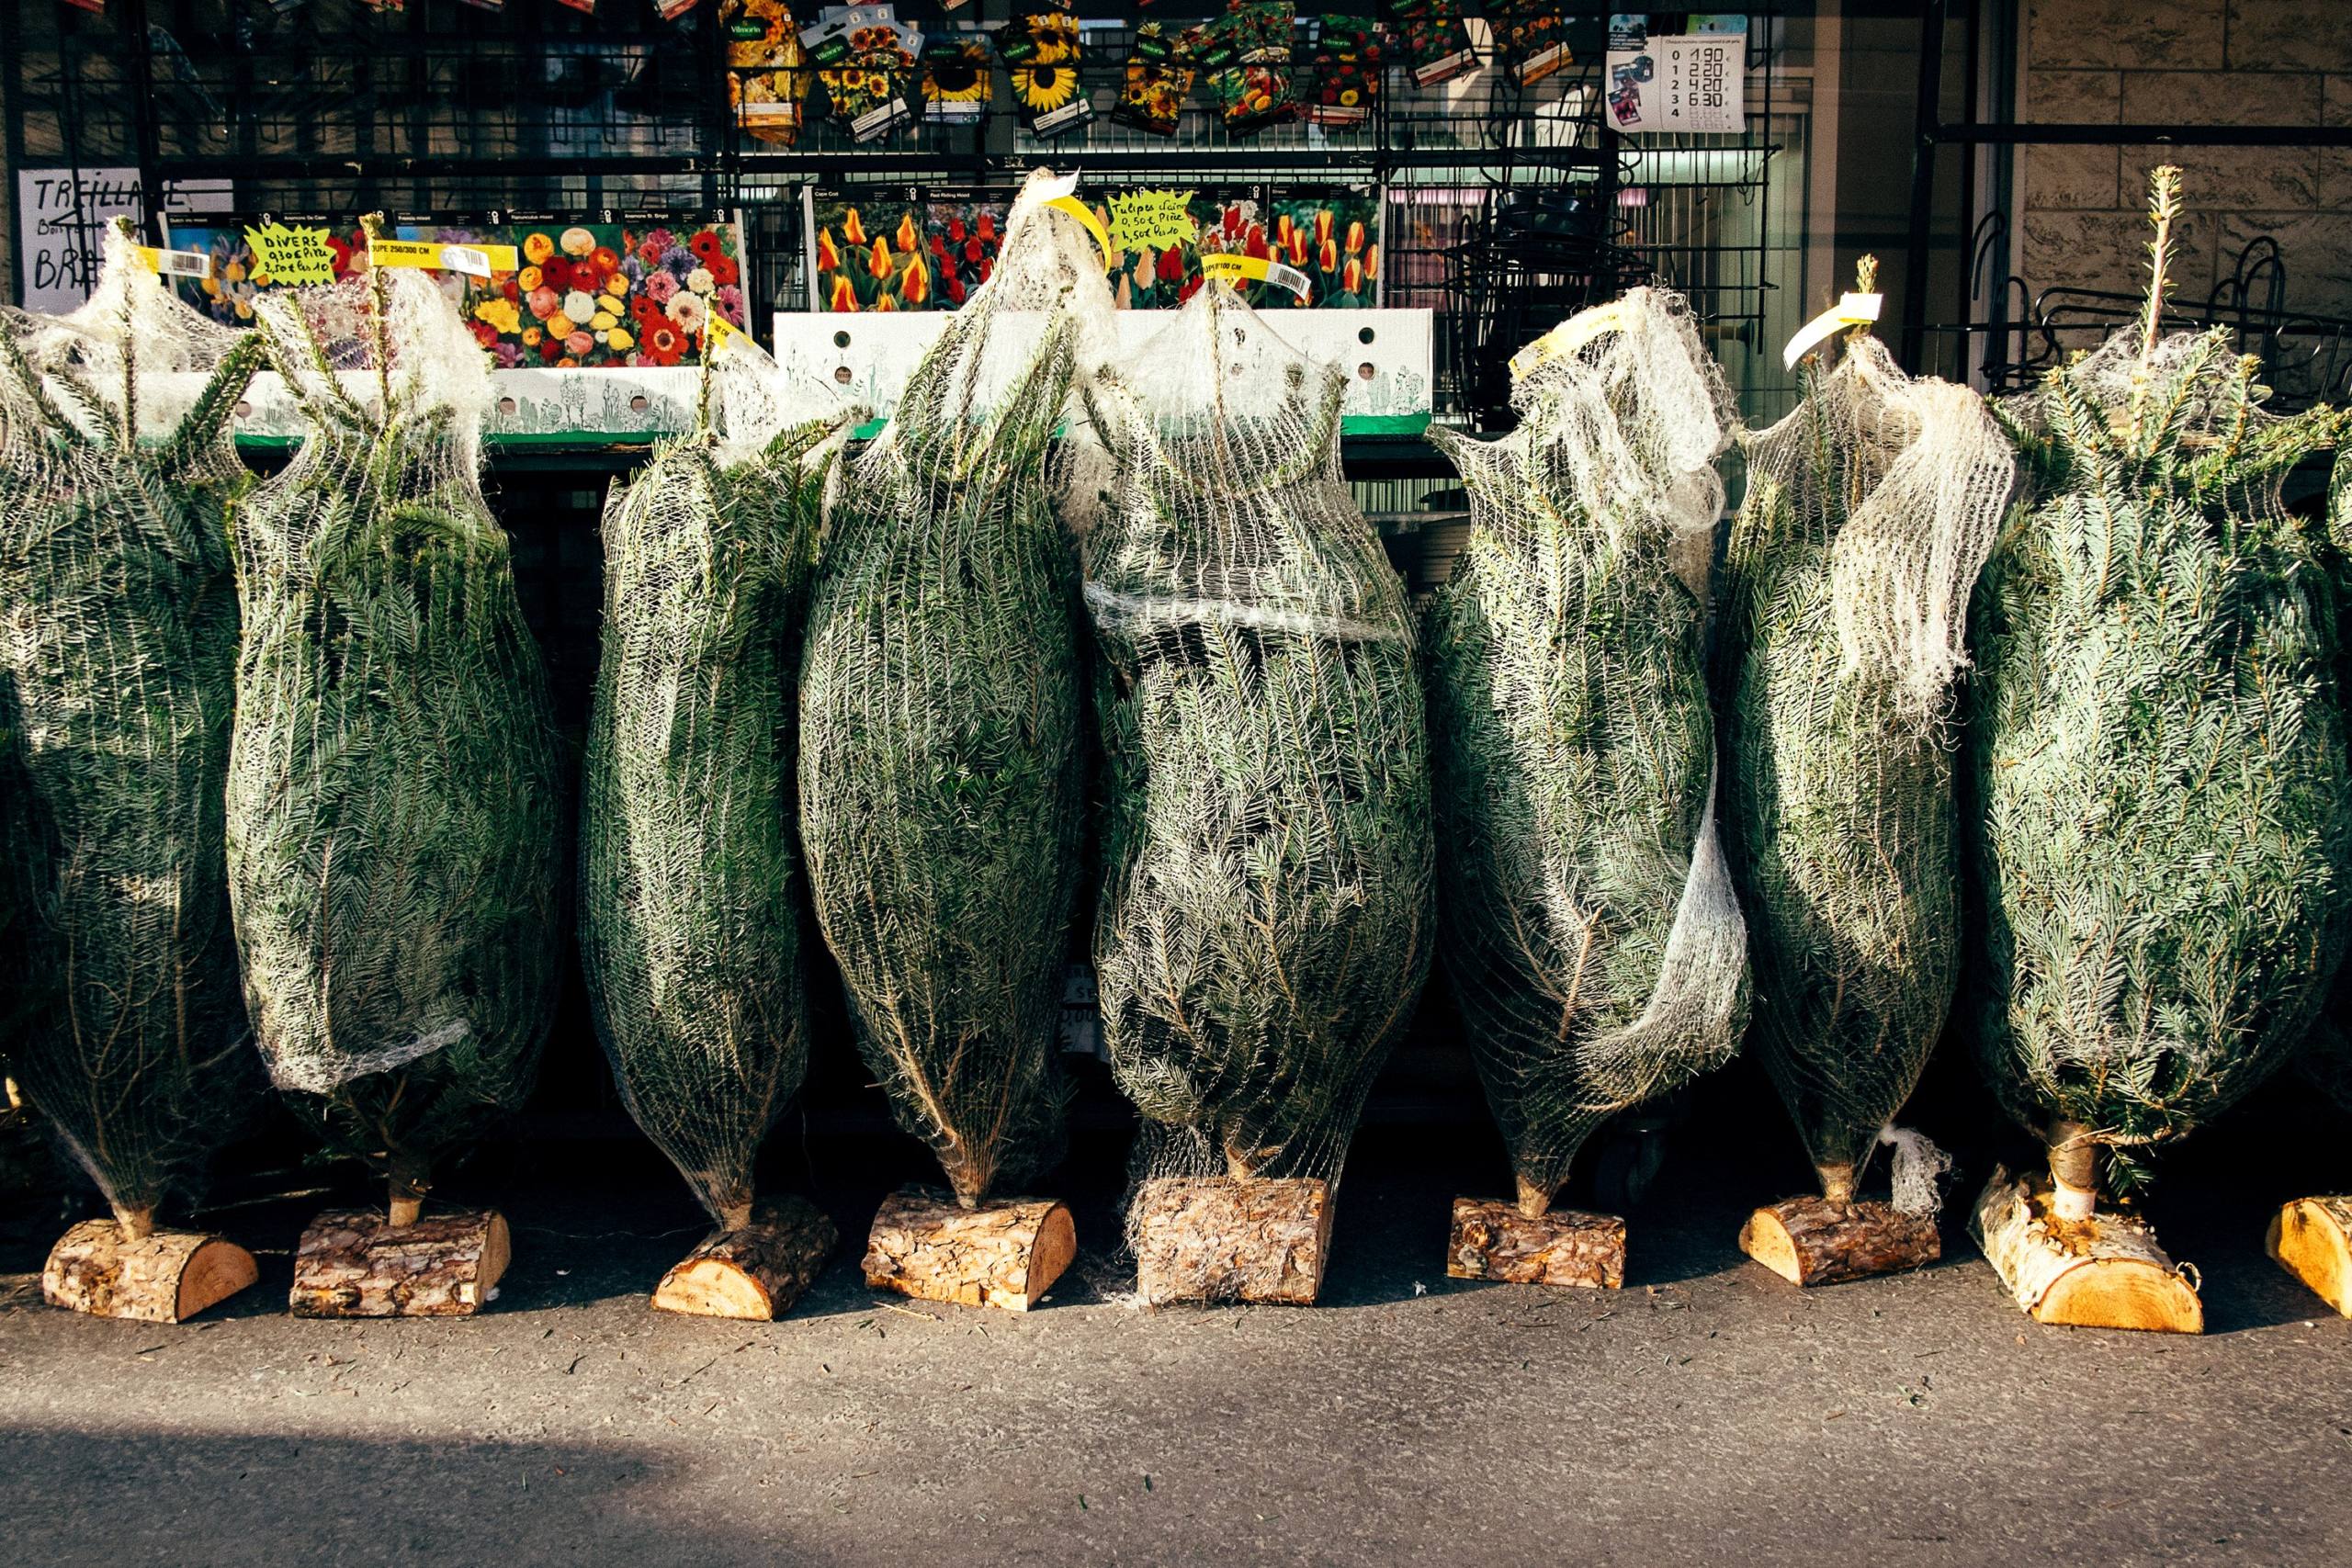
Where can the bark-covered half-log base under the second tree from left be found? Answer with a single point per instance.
(359, 1264)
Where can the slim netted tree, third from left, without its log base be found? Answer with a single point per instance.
(690, 880)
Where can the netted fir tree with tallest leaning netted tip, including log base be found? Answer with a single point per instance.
(942, 763)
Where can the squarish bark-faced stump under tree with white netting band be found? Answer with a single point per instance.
(1231, 1240)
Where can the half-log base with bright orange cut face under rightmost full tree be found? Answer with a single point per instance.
(2102, 1273)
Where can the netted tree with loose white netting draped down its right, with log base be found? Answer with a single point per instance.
(1866, 521)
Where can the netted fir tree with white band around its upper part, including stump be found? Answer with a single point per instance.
(1267, 913)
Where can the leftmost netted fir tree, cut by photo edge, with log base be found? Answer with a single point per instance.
(116, 690)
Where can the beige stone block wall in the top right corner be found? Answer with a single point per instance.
(2189, 62)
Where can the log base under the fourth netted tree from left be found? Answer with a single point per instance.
(1003, 1254)
